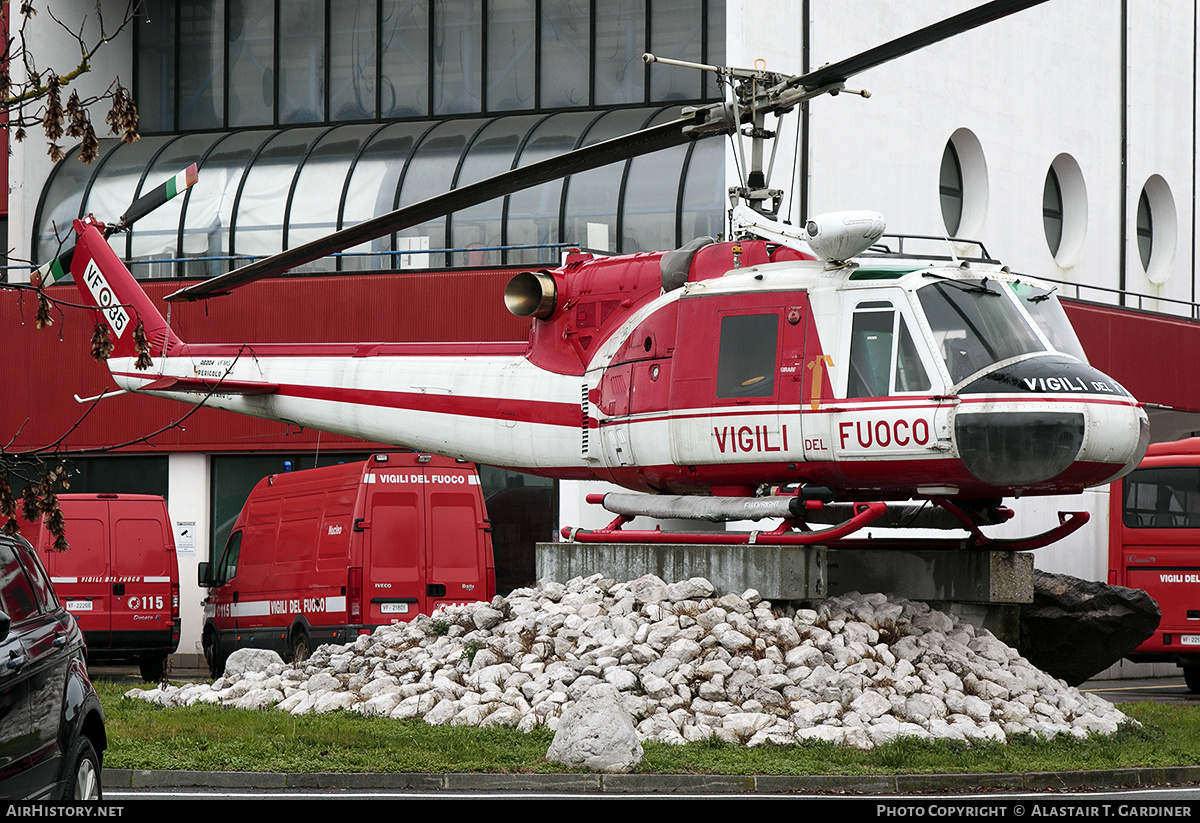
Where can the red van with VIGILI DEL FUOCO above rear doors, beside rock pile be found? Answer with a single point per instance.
(326, 555)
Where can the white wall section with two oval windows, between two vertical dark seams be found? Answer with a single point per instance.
(1028, 88)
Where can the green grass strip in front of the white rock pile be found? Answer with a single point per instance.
(142, 736)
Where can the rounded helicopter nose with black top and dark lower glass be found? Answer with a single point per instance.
(1064, 425)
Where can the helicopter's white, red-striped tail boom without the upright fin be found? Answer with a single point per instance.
(494, 410)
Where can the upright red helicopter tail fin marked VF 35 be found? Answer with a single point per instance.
(109, 286)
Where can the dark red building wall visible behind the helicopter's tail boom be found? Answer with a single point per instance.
(45, 369)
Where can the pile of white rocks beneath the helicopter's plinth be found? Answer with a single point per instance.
(856, 670)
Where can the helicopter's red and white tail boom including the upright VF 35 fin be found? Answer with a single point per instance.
(478, 401)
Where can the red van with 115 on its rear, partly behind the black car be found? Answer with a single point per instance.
(119, 579)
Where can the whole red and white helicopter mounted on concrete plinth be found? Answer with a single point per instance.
(868, 387)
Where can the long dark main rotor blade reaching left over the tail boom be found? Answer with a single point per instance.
(644, 142)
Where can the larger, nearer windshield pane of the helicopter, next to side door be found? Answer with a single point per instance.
(976, 325)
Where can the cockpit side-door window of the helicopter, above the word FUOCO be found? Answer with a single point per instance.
(884, 356)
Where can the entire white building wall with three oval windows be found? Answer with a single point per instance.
(1029, 88)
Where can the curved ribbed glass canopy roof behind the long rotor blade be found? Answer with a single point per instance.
(263, 191)
